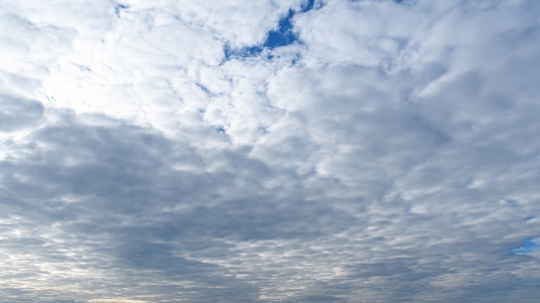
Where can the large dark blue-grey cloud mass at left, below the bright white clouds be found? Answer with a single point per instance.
(105, 189)
